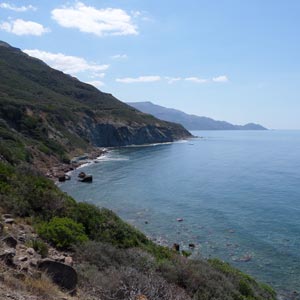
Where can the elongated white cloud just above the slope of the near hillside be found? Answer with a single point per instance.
(68, 64)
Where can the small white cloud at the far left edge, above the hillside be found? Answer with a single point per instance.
(21, 27)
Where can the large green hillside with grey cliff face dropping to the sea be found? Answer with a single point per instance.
(46, 112)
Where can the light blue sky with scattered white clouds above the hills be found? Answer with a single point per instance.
(230, 60)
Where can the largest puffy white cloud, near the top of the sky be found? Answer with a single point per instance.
(108, 21)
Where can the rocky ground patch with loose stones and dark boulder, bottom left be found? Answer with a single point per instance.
(24, 261)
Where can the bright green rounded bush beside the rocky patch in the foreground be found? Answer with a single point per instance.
(62, 232)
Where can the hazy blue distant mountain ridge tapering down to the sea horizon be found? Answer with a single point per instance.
(191, 122)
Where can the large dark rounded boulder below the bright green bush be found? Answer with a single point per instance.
(63, 275)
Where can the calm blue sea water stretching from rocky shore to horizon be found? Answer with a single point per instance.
(237, 191)
